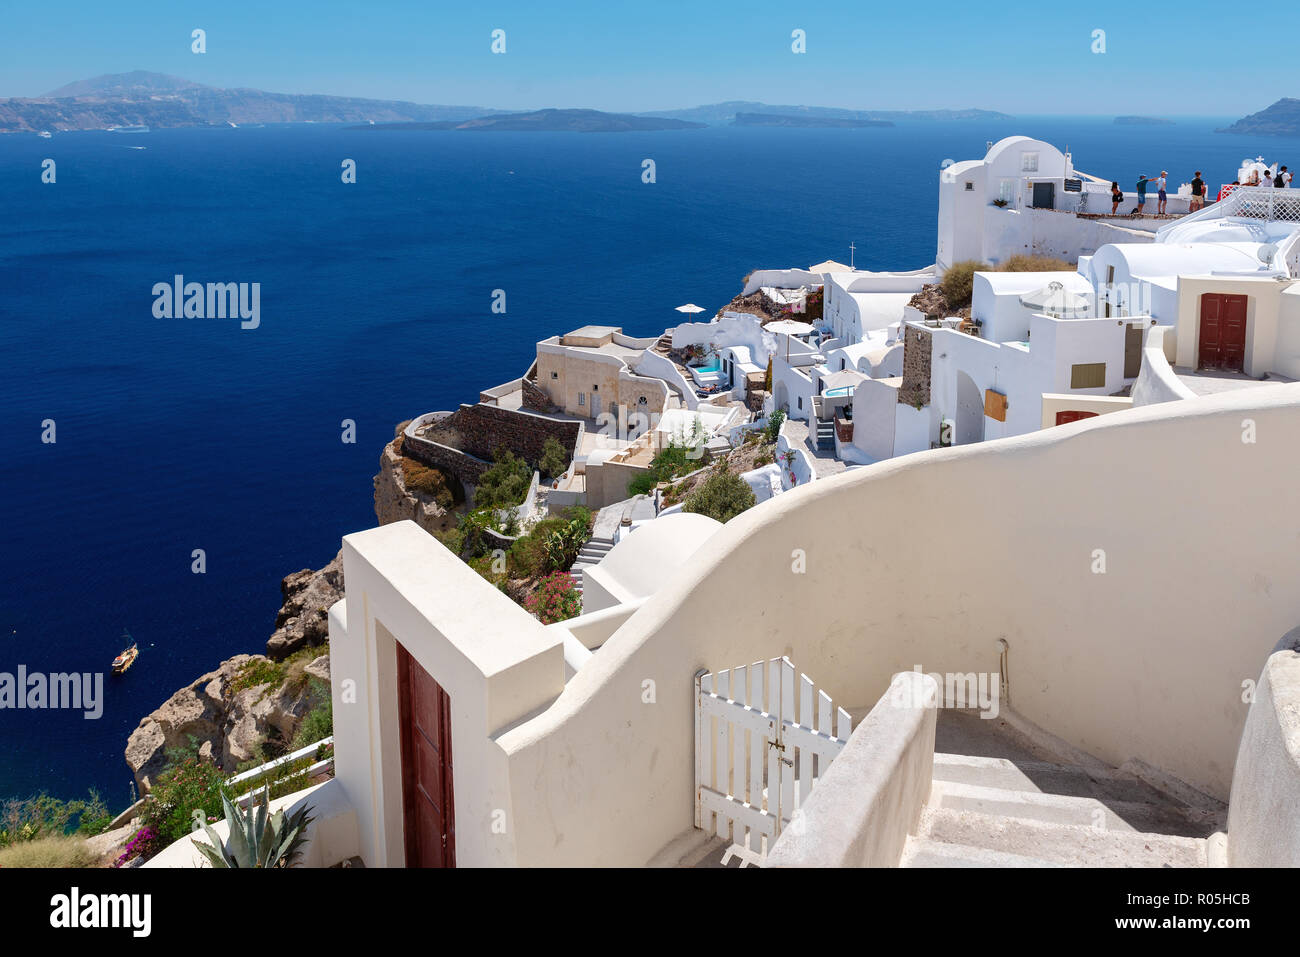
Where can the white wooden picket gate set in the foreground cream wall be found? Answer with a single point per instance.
(759, 752)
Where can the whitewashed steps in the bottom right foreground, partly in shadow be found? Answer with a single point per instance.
(993, 812)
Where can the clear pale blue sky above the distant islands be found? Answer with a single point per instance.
(1020, 58)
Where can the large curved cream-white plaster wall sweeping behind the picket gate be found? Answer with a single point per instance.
(1199, 538)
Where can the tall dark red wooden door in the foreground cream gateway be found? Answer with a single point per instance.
(428, 809)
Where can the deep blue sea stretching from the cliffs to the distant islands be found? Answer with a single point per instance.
(177, 435)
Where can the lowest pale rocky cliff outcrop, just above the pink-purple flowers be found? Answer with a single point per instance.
(227, 726)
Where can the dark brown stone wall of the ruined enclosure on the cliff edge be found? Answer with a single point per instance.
(465, 443)
